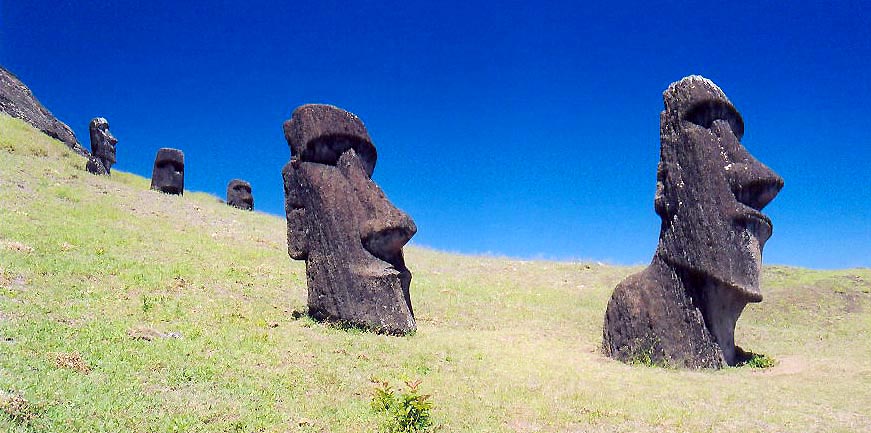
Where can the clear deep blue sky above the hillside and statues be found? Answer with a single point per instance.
(528, 129)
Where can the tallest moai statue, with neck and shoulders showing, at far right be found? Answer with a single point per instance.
(682, 309)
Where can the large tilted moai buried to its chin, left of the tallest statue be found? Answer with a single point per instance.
(340, 222)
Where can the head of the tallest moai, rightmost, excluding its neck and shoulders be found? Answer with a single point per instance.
(710, 190)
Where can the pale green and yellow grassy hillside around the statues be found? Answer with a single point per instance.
(122, 309)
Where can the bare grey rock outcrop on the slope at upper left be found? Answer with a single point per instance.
(18, 101)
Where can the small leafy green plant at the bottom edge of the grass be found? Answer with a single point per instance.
(407, 412)
